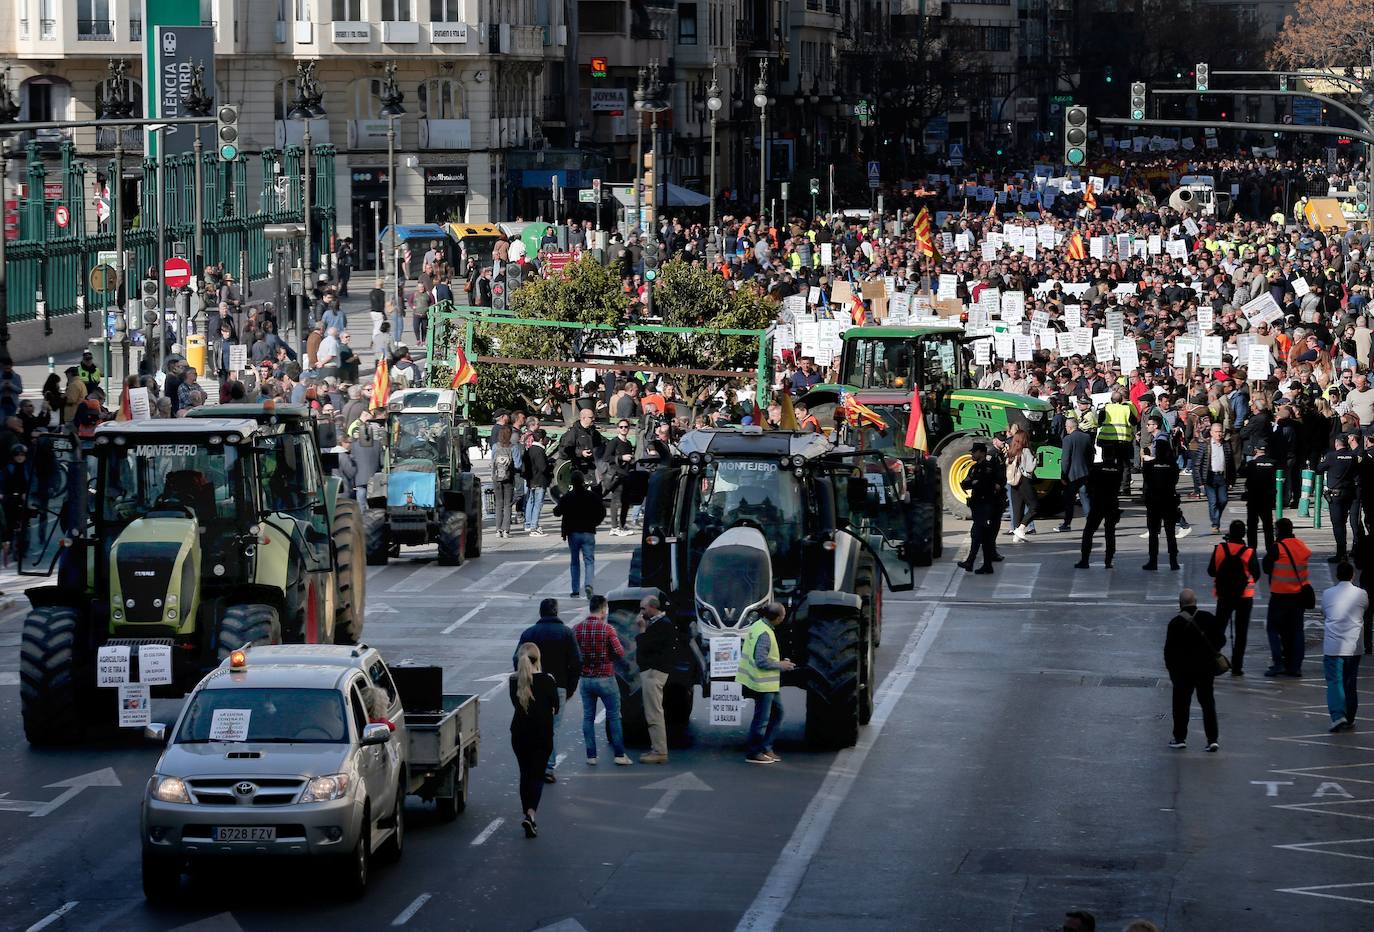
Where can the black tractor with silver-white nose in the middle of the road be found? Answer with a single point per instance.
(745, 516)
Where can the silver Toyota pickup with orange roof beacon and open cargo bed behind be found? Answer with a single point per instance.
(300, 750)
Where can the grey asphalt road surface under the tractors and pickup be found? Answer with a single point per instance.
(1016, 768)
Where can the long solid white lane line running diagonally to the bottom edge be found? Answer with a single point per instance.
(788, 874)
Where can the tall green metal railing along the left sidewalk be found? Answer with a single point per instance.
(56, 263)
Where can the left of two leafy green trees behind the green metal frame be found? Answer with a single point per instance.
(585, 293)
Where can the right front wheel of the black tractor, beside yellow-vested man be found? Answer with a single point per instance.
(835, 651)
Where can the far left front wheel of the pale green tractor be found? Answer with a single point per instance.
(49, 687)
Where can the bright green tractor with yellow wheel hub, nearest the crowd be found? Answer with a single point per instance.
(887, 364)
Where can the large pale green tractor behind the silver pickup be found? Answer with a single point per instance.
(205, 535)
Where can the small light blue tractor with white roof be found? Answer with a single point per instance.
(427, 491)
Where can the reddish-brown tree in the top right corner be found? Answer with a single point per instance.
(1333, 35)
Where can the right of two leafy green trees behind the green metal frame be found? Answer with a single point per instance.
(695, 298)
